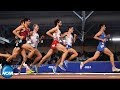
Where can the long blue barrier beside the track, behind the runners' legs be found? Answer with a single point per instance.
(74, 67)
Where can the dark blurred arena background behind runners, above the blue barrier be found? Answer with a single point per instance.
(85, 24)
